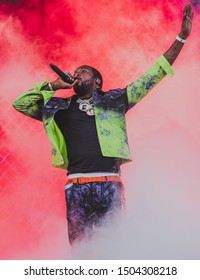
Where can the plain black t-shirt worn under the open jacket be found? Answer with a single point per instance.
(83, 147)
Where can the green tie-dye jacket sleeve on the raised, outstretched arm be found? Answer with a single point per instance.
(138, 89)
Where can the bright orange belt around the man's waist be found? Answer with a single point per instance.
(82, 180)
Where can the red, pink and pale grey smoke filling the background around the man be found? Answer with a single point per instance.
(121, 39)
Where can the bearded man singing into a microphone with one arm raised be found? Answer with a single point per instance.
(88, 134)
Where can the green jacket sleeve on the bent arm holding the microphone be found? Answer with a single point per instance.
(31, 103)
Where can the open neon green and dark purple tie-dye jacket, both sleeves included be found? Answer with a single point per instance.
(109, 113)
